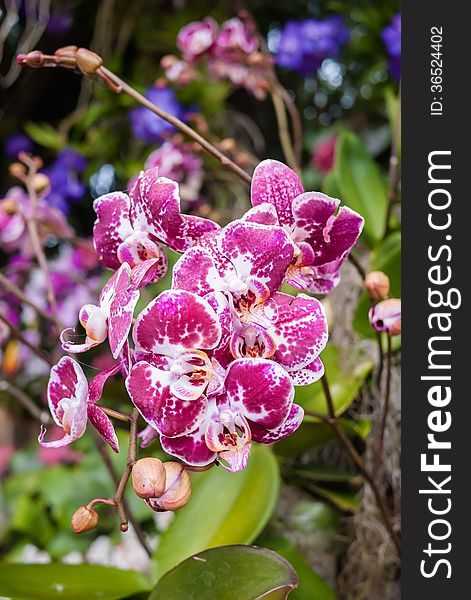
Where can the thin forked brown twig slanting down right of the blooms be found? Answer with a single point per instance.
(331, 420)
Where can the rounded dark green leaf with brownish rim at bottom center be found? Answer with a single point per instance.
(228, 572)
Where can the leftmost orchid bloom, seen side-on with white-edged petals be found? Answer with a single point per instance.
(73, 402)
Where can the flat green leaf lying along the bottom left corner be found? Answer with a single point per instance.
(46, 582)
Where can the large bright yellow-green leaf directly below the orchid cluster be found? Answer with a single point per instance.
(225, 508)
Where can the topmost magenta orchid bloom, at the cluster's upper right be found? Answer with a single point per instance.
(322, 238)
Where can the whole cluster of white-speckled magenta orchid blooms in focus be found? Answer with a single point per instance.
(214, 360)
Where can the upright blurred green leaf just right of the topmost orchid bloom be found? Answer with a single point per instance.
(361, 185)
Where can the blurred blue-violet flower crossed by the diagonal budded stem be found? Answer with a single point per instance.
(147, 126)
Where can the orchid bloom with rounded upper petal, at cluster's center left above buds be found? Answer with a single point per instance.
(173, 371)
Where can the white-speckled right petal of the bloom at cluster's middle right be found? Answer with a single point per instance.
(300, 331)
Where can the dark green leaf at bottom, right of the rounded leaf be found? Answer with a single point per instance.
(311, 586)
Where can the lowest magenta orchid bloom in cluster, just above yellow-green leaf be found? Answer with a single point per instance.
(256, 404)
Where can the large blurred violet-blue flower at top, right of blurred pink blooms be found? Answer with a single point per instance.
(305, 44)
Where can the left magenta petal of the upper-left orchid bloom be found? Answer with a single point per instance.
(111, 227)
